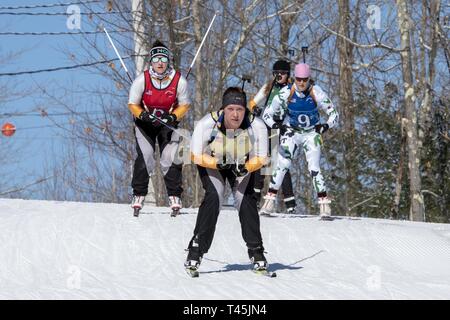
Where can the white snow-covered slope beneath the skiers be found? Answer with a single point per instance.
(68, 250)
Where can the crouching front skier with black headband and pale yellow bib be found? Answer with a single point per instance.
(229, 144)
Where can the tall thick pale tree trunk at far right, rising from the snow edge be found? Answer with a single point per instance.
(417, 209)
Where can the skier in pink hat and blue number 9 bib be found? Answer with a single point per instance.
(301, 128)
